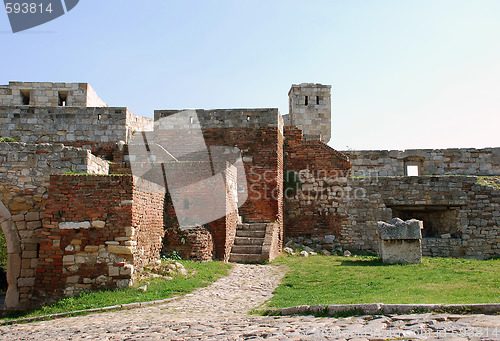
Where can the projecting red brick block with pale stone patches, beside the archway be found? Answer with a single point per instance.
(97, 231)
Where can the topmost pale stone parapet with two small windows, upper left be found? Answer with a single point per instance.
(49, 94)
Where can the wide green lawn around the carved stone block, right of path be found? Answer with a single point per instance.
(349, 280)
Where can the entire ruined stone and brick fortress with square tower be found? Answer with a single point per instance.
(75, 216)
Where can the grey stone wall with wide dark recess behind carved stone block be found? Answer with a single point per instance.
(461, 217)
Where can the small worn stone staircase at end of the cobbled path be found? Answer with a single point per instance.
(248, 243)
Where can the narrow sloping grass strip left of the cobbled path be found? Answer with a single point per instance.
(201, 274)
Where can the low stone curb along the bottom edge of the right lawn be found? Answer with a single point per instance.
(386, 309)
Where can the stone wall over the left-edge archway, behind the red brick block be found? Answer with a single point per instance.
(24, 181)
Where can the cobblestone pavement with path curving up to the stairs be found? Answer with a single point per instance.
(218, 312)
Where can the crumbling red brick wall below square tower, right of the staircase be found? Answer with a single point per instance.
(312, 210)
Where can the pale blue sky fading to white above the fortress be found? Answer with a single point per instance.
(404, 73)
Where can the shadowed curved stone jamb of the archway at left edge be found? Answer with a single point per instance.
(13, 257)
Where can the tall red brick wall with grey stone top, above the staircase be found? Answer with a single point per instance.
(257, 133)
